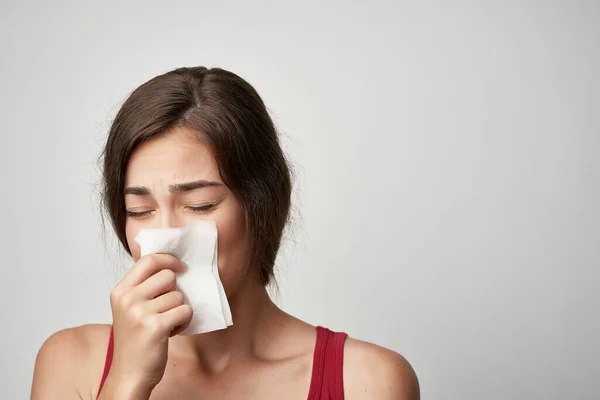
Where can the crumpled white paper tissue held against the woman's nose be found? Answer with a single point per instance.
(195, 245)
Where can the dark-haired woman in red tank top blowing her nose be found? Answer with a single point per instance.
(207, 132)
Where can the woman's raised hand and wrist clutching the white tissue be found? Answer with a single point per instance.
(147, 310)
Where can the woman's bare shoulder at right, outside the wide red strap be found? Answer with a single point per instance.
(374, 372)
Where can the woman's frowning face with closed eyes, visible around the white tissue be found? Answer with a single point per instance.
(173, 180)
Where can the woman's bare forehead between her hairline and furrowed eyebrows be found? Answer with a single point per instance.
(175, 156)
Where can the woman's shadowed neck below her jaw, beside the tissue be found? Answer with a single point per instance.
(255, 319)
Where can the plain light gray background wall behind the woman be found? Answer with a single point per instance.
(447, 161)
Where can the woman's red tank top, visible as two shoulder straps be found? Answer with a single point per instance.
(327, 380)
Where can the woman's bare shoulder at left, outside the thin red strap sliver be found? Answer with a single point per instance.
(68, 362)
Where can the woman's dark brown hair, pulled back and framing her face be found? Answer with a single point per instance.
(231, 118)
